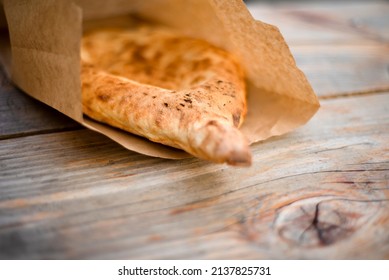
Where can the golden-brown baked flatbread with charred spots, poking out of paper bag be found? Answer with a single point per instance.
(178, 91)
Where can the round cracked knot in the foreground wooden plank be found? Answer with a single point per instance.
(316, 222)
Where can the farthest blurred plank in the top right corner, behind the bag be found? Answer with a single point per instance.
(326, 22)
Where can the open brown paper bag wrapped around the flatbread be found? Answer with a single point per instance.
(45, 45)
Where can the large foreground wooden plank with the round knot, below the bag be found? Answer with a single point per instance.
(319, 192)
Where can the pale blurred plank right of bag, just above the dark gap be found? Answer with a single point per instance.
(335, 70)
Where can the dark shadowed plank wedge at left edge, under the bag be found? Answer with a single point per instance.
(22, 115)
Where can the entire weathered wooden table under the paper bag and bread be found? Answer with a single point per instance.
(321, 191)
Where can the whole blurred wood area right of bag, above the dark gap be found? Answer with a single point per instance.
(342, 46)
